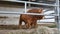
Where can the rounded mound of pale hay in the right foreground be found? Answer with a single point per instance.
(44, 30)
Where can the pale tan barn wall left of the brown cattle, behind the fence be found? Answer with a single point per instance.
(10, 20)
